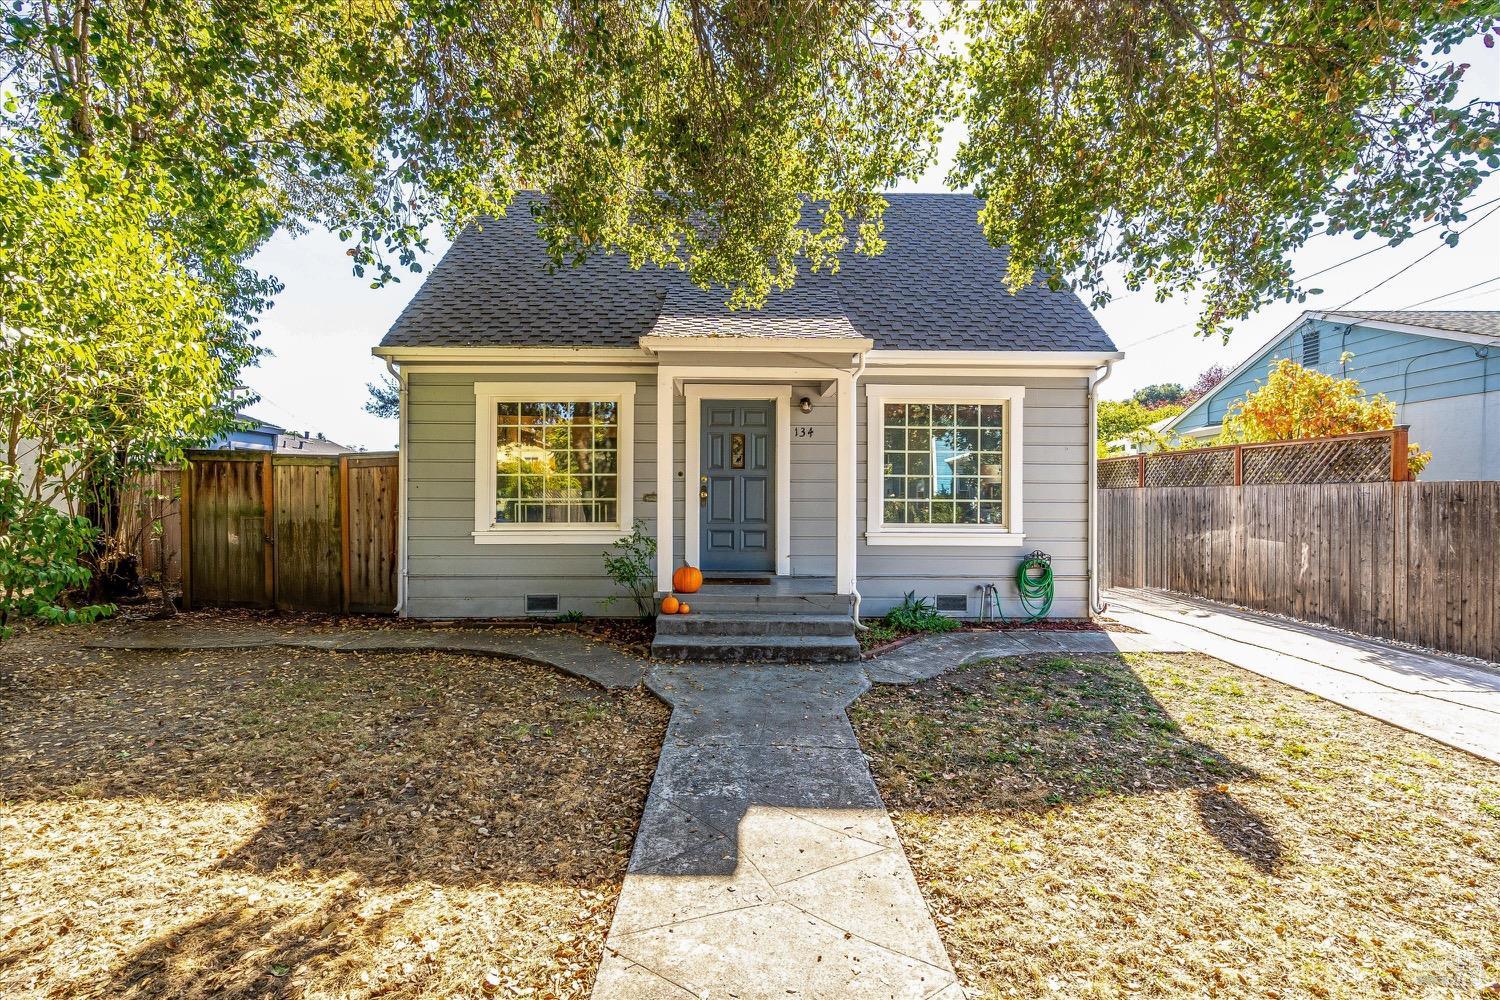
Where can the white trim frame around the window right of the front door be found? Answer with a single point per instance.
(877, 533)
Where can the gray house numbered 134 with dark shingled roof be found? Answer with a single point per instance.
(905, 425)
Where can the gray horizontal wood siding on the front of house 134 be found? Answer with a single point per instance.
(452, 576)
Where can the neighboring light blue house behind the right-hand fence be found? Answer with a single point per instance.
(1442, 371)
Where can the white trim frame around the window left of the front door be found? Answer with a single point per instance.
(487, 395)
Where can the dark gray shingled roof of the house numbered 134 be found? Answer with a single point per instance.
(938, 287)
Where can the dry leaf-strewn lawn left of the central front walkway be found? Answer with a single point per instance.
(298, 824)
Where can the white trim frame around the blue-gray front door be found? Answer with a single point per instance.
(695, 395)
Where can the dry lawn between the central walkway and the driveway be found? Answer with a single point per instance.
(1175, 827)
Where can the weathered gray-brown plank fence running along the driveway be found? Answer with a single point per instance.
(1411, 561)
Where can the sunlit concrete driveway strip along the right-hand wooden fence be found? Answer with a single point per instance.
(1450, 701)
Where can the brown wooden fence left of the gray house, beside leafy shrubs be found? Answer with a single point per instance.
(254, 530)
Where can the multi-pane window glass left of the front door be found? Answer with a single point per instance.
(557, 463)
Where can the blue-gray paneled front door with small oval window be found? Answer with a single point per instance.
(739, 493)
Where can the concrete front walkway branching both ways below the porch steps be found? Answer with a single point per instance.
(766, 864)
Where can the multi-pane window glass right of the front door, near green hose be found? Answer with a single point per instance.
(944, 464)
